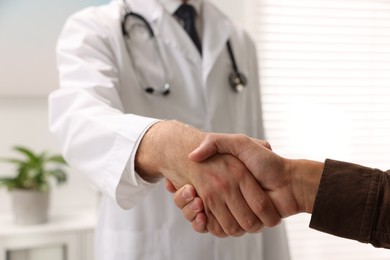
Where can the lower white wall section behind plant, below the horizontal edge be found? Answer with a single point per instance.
(24, 122)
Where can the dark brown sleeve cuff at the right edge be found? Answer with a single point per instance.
(353, 202)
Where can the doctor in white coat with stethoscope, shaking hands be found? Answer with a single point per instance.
(129, 75)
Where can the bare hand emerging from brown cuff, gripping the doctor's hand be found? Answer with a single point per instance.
(291, 184)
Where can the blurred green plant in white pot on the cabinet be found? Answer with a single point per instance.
(31, 183)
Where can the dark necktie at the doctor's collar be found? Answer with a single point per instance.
(187, 14)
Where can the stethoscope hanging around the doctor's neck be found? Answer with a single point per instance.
(237, 80)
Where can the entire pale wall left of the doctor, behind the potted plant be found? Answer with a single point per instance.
(27, 74)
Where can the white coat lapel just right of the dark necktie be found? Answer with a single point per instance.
(217, 29)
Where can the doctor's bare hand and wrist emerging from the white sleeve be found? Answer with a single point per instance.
(233, 201)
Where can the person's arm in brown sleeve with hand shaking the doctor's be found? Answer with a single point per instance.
(346, 200)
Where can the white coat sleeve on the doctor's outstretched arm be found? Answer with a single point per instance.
(86, 113)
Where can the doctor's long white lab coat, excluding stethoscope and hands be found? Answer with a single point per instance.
(101, 112)
